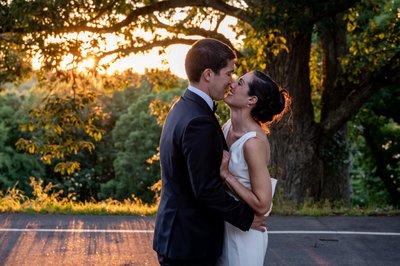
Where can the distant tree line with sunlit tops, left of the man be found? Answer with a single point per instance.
(118, 166)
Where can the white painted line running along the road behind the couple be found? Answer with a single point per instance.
(152, 231)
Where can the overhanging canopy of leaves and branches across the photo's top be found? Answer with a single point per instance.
(368, 53)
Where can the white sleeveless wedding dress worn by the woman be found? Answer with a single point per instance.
(242, 248)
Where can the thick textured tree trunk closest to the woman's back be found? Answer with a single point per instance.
(295, 161)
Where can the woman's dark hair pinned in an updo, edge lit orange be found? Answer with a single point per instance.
(272, 100)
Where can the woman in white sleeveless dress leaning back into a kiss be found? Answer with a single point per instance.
(254, 101)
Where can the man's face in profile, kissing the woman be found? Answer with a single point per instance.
(222, 80)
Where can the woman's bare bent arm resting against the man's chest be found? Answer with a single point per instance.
(259, 198)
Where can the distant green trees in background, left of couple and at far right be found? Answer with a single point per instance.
(124, 162)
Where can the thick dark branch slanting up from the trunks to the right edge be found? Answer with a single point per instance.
(387, 75)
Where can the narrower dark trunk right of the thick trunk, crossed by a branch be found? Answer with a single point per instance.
(334, 151)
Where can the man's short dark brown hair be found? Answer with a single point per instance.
(207, 53)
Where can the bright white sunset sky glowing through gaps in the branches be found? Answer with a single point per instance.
(172, 58)
